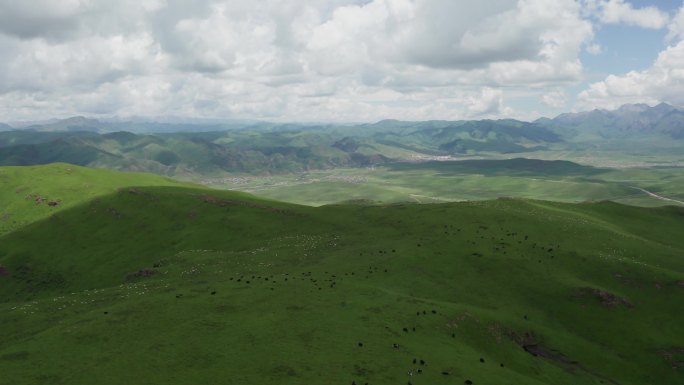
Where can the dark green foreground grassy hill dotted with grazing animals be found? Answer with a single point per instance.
(186, 285)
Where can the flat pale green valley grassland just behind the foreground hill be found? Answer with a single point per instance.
(453, 181)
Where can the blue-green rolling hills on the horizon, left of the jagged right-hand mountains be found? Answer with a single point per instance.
(261, 148)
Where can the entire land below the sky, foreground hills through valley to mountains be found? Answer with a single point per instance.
(486, 252)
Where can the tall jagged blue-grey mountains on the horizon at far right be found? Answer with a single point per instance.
(628, 120)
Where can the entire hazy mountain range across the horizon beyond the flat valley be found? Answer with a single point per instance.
(266, 148)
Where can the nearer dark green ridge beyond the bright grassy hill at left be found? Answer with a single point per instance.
(203, 153)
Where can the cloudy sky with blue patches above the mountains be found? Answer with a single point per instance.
(336, 60)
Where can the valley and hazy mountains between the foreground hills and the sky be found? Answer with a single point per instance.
(388, 161)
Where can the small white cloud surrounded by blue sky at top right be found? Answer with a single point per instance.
(620, 12)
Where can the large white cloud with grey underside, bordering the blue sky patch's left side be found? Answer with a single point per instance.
(530, 34)
